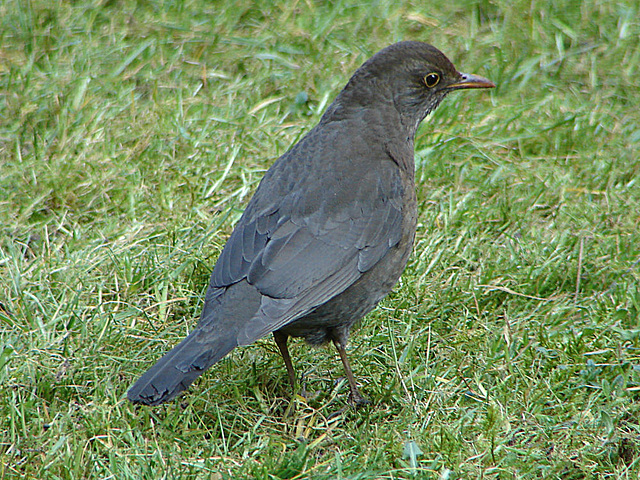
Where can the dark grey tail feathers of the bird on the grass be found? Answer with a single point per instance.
(179, 368)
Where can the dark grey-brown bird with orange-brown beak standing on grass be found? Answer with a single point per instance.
(329, 229)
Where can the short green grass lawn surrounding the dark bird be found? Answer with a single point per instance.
(132, 133)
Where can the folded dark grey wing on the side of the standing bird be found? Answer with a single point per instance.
(299, 257)
